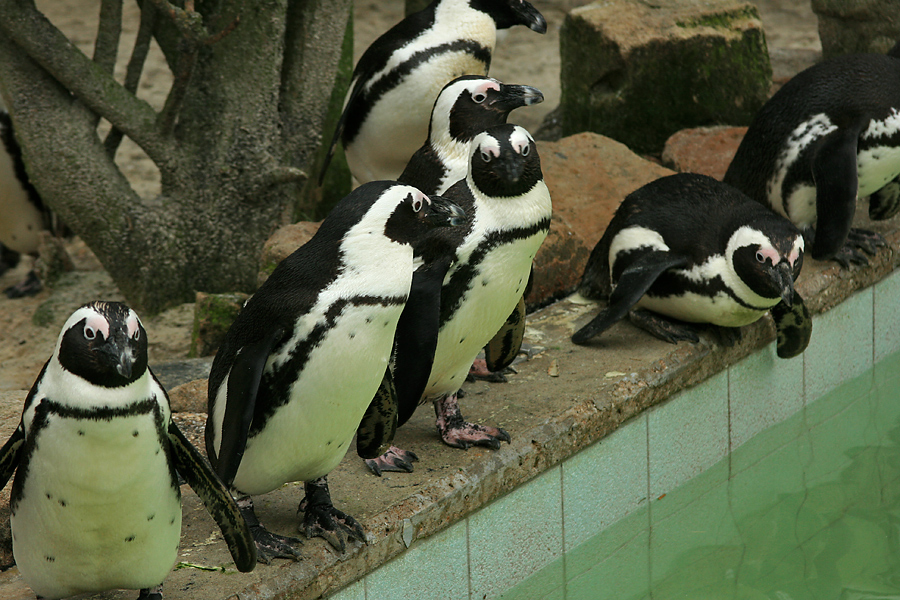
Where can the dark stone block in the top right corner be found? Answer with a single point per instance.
(849, 26)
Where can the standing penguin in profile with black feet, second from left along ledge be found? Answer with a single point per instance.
(301, 363)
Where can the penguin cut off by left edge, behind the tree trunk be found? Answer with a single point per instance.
(22, 214)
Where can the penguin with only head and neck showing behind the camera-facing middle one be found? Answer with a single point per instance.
(465, 107)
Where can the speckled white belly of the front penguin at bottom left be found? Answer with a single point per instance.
(98, 510)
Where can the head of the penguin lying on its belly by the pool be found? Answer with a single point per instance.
(767, 256)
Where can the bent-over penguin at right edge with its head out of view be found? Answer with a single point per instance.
(829, 136)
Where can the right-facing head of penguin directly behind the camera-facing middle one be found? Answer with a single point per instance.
(470, 104)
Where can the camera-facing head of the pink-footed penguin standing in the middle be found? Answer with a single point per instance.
(504, 161)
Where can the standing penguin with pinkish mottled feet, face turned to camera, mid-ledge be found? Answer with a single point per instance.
(473, 296)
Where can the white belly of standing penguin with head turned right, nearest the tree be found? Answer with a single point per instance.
(308, 436)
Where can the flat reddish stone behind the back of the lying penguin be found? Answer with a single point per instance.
(704, 150)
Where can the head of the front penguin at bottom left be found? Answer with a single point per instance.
(104, 343)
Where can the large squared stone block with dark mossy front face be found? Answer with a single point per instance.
(638, 71)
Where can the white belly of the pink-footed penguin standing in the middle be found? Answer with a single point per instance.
(484, 309)
